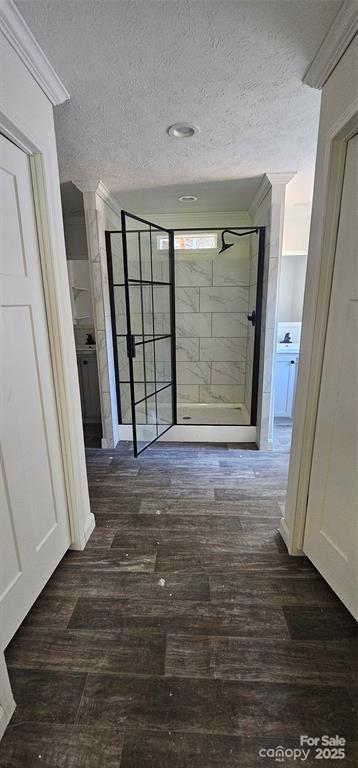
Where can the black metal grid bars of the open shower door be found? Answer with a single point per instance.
(132, 343)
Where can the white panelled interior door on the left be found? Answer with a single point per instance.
(33, 509)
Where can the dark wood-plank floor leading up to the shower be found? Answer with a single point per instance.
(184, 636)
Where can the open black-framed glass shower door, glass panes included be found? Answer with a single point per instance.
(141, 289)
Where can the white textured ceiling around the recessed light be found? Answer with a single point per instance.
(233, 68)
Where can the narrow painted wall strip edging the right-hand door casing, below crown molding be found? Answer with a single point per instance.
(339, 103)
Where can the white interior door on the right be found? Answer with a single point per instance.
(331, 528)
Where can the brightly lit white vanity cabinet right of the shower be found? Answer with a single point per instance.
(286, 366)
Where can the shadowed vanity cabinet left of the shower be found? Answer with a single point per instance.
(89, 389)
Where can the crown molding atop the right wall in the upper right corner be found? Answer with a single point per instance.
(338, 37)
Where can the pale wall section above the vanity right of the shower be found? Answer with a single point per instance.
(291, 287)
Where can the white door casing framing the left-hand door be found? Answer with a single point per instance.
(59, 321)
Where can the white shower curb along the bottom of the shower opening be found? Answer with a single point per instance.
(189, 433)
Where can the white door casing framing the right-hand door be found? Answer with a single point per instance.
(316, 302)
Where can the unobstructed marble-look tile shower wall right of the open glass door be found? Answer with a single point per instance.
(212, 301)
